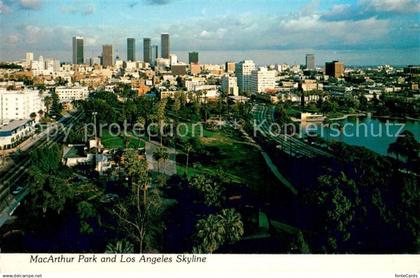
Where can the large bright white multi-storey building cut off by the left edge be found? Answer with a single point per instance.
(15, 105)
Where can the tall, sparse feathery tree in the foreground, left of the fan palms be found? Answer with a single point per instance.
(140, 213)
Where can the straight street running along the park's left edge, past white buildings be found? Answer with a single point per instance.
(16, 174)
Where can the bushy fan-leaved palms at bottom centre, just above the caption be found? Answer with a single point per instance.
(216, 230)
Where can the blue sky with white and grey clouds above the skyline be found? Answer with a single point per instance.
(358, 32)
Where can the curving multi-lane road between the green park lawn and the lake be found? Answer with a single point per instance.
(264, 118)
